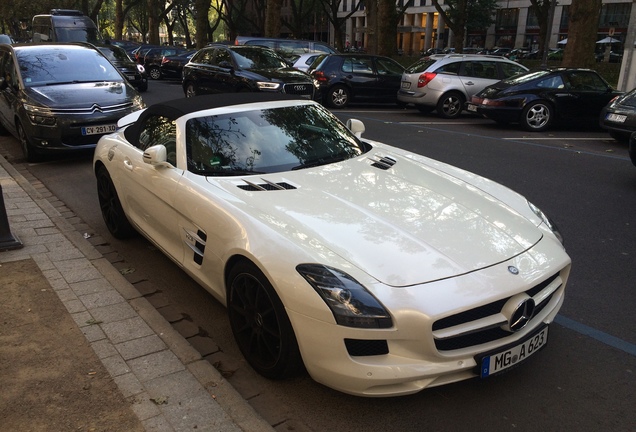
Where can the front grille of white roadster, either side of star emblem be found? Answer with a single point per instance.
(488, 333)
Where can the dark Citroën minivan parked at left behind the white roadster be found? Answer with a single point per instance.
(60, 97)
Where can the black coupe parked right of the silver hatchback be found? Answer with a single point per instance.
(538, 99)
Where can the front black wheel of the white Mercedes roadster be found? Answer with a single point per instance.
(260, 324)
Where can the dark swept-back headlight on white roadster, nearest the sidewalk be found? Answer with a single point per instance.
(351, 304)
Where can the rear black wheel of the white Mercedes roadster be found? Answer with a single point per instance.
(112, 211)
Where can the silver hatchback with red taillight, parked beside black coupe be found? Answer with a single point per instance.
(445, 82)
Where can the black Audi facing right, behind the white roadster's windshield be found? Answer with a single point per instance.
(229, 68)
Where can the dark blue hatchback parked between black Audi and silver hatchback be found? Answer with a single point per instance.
(345, 78)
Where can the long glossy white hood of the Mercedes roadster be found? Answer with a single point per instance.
(405, 225)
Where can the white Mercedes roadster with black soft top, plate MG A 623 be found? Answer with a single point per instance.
(378, 271)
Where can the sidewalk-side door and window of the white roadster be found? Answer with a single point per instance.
(148, 192)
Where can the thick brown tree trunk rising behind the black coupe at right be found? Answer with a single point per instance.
(583, 28)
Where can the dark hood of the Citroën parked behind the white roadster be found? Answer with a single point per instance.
(82, 95)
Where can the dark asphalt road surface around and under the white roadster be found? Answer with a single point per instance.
(585, 378)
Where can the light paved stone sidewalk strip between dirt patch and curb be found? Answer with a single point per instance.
(148, 360)
